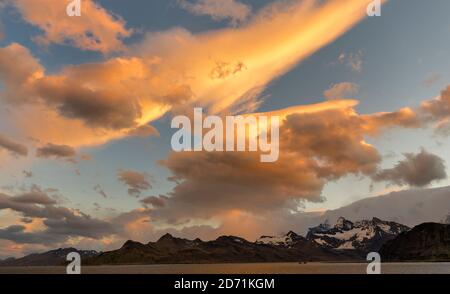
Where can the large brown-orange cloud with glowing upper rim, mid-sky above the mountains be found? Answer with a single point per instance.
(318, 143)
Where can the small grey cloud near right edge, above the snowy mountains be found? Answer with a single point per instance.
(417, 170)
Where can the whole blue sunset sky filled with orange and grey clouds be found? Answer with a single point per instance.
(87, 102)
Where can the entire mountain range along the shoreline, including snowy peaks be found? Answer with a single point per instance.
(345, 241)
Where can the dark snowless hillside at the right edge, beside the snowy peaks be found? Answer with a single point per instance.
(426, 242)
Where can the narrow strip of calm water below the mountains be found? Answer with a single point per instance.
(252, 268)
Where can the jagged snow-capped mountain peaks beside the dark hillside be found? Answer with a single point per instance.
(362, 236)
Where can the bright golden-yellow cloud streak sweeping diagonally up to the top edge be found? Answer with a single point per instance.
(249, 59)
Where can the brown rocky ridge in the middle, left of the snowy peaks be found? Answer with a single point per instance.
(226, 249)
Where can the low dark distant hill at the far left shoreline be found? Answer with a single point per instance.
(50, 258)
